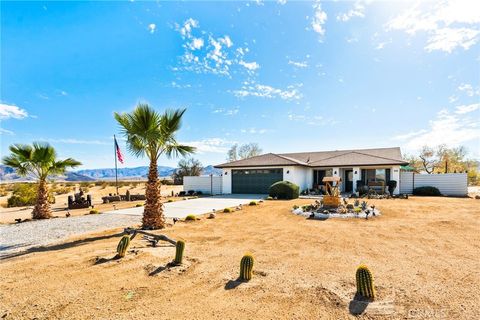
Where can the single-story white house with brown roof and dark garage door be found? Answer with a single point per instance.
(307, 169)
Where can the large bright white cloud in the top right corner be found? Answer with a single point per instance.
(448, 24)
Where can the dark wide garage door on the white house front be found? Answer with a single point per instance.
(255, 180)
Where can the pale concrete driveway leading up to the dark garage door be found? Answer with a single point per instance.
(182, 208)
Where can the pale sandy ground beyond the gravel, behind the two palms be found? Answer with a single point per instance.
(59, 208)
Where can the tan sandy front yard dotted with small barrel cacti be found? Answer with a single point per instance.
(423, 253)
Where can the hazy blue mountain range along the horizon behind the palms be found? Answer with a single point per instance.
(8, 173)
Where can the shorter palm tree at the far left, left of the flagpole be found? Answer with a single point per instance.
(39, 160)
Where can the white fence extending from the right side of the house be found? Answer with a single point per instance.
(449, 184)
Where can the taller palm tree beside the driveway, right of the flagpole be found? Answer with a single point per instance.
(152, 134)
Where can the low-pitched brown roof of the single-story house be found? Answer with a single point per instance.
(340, 158)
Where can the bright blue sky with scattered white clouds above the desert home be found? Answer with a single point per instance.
(291, 76)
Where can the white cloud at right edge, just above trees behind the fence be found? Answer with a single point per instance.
(449, 128)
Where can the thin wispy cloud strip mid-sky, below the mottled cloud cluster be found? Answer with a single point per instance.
(264, 91)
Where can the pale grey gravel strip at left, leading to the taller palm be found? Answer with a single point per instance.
(23, 236)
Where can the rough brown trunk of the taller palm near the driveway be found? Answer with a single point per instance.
(153, 217)
